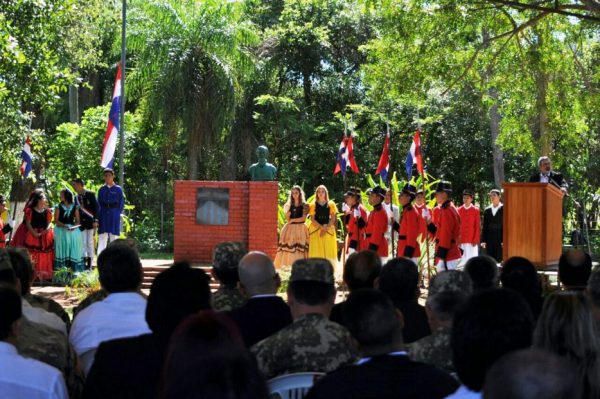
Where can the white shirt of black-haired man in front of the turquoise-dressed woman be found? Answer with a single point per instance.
(119, 315)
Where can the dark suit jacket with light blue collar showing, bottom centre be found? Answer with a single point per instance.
(385, 377)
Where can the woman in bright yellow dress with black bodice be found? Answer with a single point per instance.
(323, 241)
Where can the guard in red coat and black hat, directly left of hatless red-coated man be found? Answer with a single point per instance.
(445, 224)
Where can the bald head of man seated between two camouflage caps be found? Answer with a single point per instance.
(257, 274)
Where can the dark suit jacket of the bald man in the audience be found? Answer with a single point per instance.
(260, 318)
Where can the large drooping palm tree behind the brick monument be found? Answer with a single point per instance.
(187, 60)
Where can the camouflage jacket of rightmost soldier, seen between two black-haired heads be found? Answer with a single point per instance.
(434, 349)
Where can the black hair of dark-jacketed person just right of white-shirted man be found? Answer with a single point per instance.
(175, 294)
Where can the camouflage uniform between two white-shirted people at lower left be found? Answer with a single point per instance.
(50, 346)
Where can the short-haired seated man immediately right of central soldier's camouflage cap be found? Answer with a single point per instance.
(360, 271)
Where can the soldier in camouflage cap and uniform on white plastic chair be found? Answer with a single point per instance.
(312, 342)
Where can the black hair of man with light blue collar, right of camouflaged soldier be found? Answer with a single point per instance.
(371, 318)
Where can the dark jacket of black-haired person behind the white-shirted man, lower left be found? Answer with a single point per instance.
(127, 368)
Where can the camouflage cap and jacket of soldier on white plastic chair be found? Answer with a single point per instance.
(312, 342)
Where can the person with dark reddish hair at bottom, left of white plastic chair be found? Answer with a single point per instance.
(207, 359)
